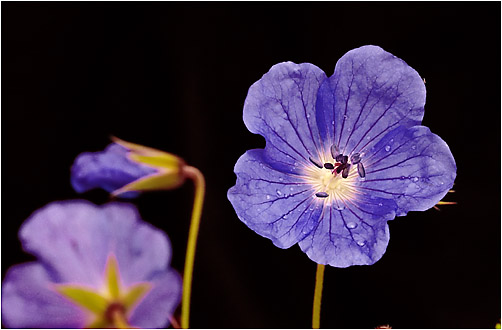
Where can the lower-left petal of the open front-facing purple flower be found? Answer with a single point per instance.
(276, 205)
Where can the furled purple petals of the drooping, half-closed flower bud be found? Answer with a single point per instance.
(109, 169)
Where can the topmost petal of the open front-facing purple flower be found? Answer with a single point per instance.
(370, 93)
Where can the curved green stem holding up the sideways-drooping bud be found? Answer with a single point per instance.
(199, 182)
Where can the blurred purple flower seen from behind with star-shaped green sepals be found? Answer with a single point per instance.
(98, 266)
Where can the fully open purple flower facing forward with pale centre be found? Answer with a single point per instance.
(343, 155)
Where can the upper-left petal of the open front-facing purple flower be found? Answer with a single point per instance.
(281, 107)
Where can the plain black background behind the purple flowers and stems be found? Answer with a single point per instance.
(174, 76)
